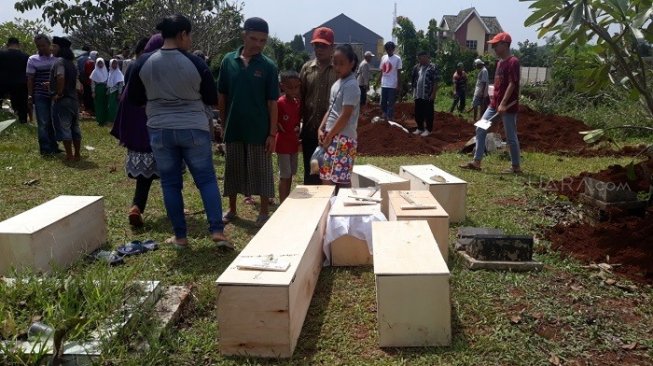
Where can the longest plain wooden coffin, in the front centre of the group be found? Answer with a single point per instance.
(261, 313)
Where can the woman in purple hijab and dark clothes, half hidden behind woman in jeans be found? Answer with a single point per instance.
(130, 128)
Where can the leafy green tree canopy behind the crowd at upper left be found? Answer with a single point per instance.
(107, 25)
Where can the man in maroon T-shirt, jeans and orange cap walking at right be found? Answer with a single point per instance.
(504, 103)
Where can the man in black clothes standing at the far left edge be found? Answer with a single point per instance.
(13, 80)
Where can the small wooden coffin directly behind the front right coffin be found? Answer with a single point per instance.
(437, 218)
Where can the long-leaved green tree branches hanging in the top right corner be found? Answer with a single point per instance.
(620, 54)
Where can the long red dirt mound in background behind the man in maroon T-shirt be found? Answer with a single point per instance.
(537, 132)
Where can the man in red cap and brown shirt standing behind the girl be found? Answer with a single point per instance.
(317, 77)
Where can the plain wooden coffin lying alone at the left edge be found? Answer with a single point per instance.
(55, 233)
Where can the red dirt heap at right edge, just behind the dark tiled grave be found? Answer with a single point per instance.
(571, 187)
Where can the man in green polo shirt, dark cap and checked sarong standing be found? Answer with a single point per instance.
(248, 89)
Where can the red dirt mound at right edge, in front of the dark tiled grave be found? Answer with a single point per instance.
(627, 241)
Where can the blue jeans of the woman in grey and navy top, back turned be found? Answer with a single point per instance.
(171, 147)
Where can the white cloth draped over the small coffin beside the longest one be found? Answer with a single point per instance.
(358, 226)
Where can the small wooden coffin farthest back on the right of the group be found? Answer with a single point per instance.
(452, 194)
